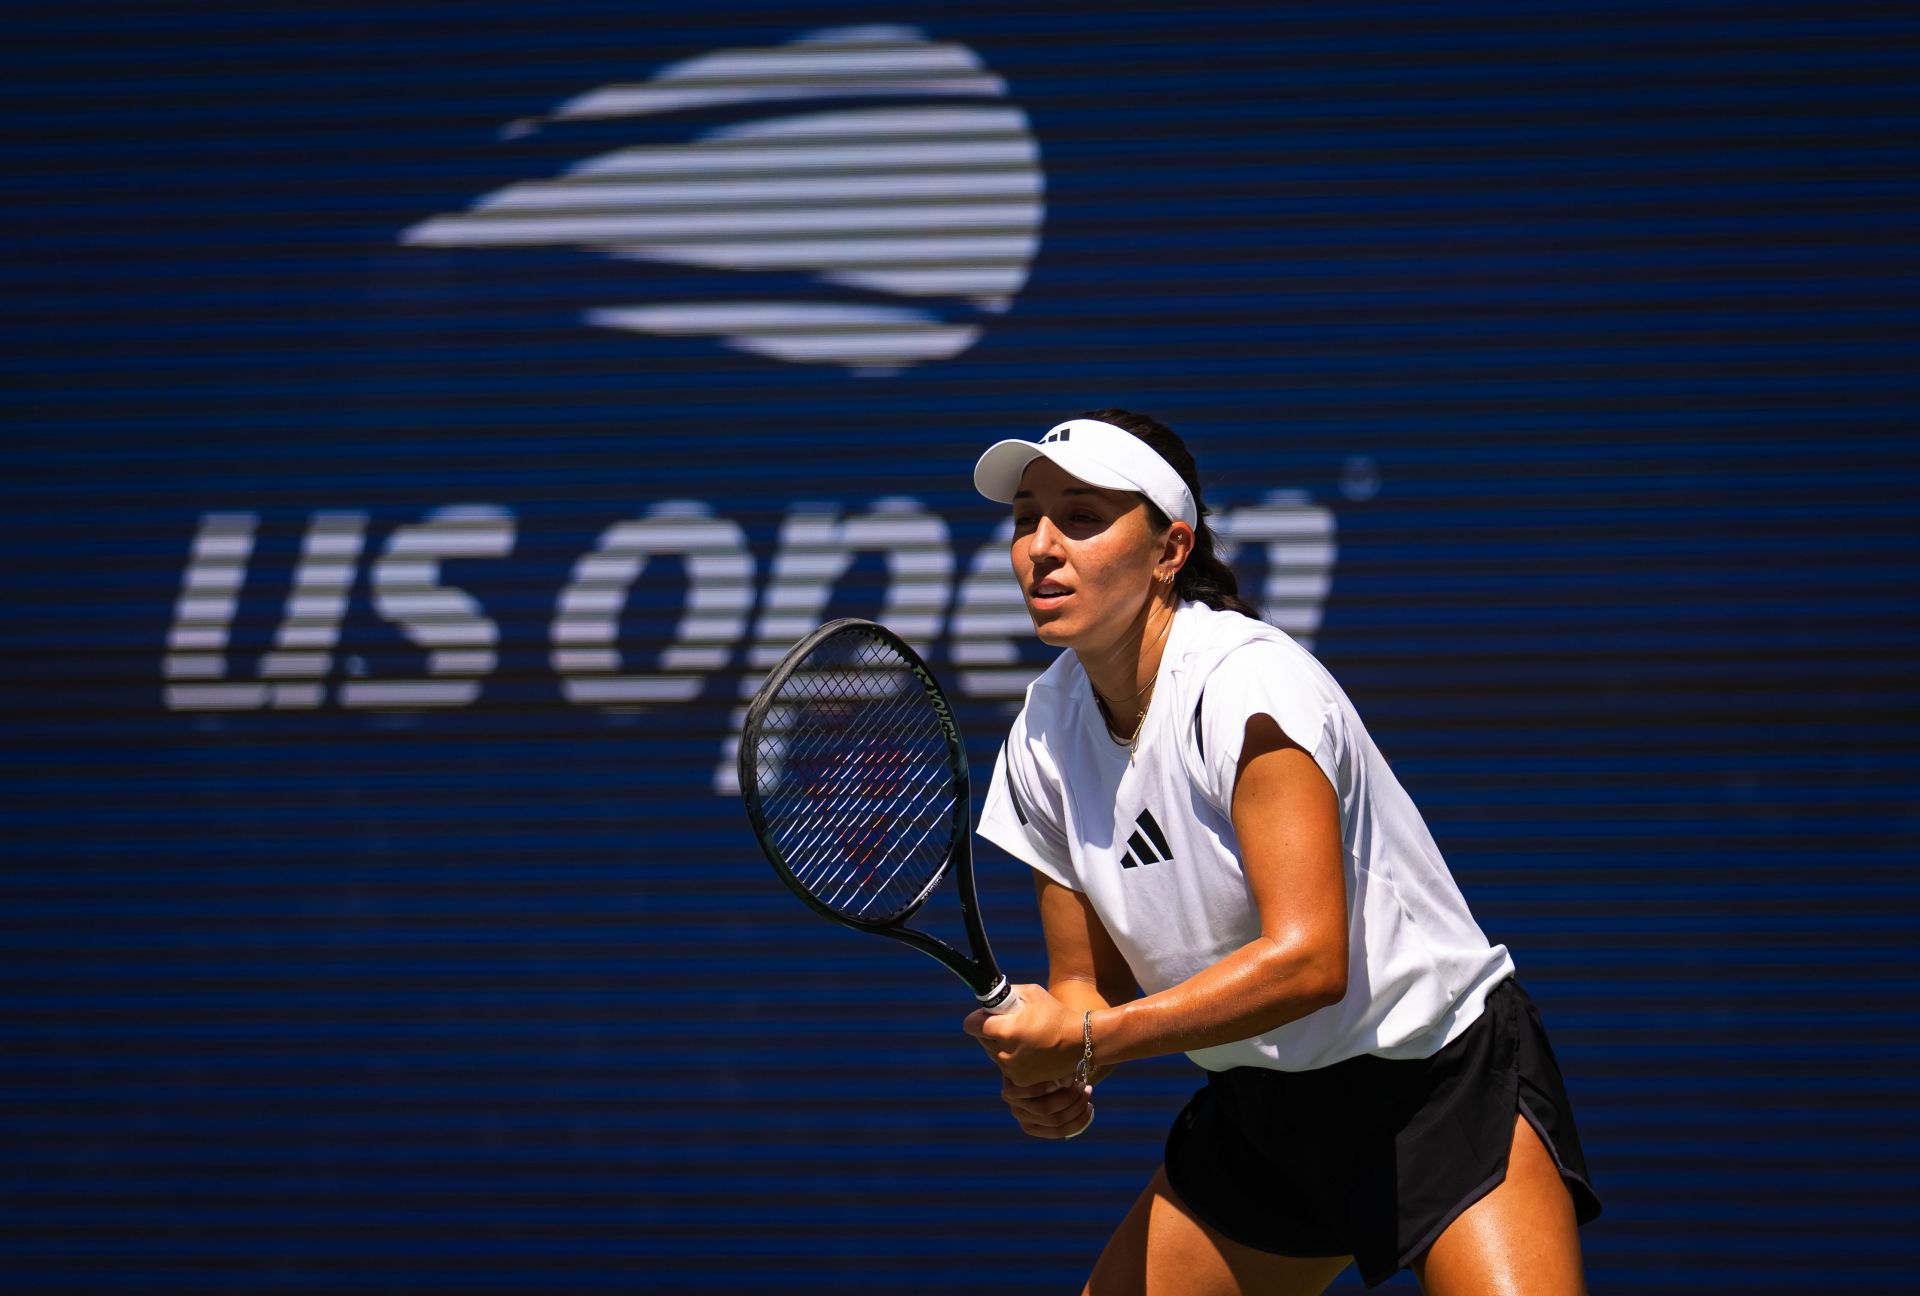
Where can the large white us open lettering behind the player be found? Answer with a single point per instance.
(740, 615)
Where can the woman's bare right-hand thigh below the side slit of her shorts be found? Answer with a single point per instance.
(1518, 1241)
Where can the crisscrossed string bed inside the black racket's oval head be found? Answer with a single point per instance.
(853, 777)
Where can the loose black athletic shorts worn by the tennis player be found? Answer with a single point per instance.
(1372, 1159)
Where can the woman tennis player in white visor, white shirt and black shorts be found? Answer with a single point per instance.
(1228, 869)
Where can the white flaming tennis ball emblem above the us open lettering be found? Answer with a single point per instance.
(894, 233)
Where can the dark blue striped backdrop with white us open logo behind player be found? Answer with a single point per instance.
(425, 421)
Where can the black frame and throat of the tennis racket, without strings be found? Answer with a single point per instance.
(980, 972)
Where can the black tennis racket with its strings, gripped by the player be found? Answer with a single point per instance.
(855, 782)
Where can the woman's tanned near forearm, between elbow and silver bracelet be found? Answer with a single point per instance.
(1259, 988)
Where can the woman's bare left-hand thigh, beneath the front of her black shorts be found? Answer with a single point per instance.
(1163, 1251)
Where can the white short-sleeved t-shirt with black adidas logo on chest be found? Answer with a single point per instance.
(1153, 846)
